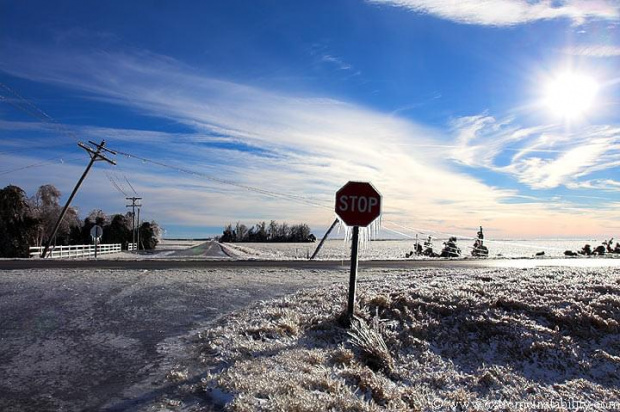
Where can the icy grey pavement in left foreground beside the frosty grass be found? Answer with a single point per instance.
(100, 339)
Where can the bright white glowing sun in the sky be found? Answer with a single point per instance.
(571, 95)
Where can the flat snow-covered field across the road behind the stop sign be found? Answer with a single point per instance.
(396, 249)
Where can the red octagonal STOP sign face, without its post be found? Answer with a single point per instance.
(358, 203)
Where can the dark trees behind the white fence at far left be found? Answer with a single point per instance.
(26, 222)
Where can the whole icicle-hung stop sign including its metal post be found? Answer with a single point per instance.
(357, 204)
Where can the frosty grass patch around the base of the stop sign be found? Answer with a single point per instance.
(427, 340)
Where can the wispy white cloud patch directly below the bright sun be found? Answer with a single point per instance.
(540, 157)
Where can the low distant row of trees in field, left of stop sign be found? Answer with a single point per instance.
(263, 232)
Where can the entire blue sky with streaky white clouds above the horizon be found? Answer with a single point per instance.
(226, 111)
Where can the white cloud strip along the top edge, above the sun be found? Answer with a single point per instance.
(510, 12)
